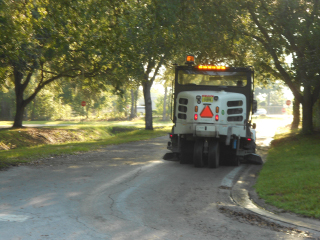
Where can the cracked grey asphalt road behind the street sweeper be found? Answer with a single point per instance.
(125, 192)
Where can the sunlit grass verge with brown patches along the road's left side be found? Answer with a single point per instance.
(29, 144)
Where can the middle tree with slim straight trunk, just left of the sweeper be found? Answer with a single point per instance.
(158, 31)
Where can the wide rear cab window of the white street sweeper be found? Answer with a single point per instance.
(212, 78)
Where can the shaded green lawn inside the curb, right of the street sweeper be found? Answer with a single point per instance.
(290, 179)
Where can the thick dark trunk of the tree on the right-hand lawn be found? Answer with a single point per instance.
(307, 124)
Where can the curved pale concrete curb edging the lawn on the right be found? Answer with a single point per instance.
(240, 195)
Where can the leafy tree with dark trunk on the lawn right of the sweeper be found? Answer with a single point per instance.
(285, 28)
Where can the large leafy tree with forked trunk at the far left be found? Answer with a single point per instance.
(51, 40)
